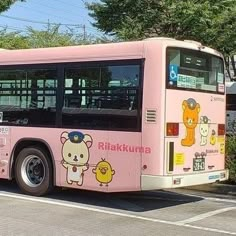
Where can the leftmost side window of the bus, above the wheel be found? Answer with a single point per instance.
(28, 97)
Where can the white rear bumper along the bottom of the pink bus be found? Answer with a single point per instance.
(152, 182)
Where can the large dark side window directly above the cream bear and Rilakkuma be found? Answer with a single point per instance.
(102, 97)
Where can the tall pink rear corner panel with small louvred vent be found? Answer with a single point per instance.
(152, 113)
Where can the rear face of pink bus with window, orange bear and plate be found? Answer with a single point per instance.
(195, 117)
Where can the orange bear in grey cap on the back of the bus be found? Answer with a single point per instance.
(191, 111)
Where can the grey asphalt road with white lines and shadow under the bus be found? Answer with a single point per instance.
(74, 212)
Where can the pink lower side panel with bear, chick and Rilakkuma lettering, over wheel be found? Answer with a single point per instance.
(112, 160)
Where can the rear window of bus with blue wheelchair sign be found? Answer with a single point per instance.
(194, 70)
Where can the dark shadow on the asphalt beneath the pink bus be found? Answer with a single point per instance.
(128, 201)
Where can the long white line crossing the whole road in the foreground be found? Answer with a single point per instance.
(84, 207)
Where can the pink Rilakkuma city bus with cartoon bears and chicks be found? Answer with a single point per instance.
(112, 117)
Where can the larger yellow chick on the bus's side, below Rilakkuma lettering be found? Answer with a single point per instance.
(103, 172)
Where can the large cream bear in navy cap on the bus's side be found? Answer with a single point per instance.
(75, 153)
